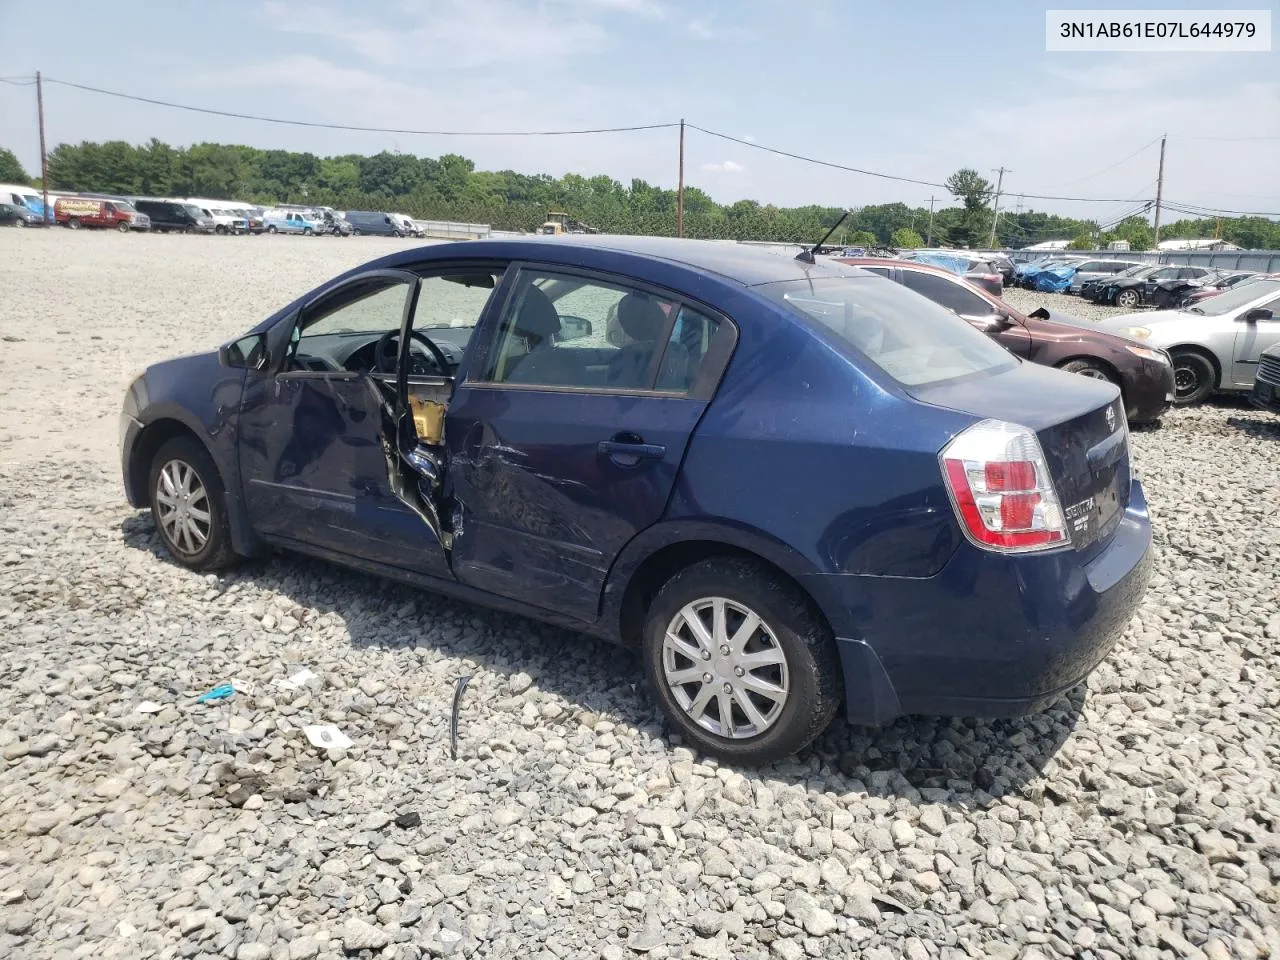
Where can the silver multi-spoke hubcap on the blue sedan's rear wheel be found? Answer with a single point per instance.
(725, 669)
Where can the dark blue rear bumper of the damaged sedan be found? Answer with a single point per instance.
(991, 636)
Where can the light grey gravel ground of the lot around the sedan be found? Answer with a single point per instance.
(1137, 819)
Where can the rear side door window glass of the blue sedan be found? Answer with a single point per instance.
(563, 331)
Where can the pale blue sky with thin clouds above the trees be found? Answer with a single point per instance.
(915, 89)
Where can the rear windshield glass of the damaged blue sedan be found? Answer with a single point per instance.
(911, 339)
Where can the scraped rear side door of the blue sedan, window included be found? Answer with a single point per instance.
(568, 435)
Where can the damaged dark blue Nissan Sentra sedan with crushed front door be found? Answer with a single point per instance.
(790, 486)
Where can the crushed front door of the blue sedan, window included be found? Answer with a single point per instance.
(318, 451)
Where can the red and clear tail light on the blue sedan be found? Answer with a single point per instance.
(1002, 490)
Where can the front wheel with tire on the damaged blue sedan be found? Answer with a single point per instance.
(189, 505)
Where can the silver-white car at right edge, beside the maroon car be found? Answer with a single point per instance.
(1215, 345)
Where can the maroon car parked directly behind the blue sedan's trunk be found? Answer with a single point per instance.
(1144, 374)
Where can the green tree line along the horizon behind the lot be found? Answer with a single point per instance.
(450, 188)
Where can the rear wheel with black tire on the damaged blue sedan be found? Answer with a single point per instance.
(740, 662)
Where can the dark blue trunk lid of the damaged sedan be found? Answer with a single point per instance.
(1081, 426)
